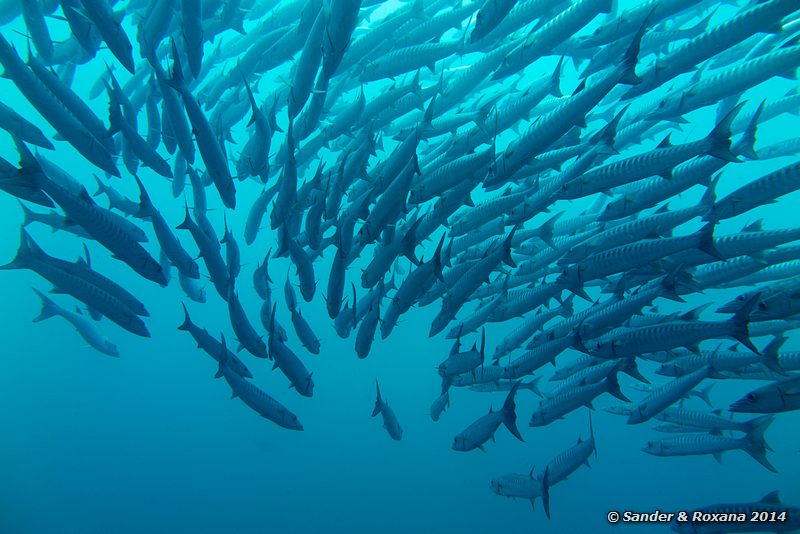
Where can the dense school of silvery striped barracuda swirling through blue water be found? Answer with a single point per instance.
(453, 185)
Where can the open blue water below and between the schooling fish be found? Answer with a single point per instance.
(150, 442)
